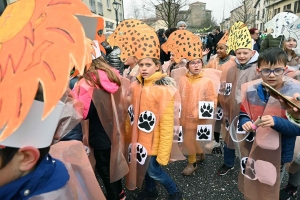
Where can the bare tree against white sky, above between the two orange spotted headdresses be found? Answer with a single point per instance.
(170, 11)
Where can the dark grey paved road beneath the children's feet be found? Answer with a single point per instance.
(204, 185)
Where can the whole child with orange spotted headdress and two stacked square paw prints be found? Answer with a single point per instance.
(193, 87)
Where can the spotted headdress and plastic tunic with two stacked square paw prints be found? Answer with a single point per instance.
(198, 94)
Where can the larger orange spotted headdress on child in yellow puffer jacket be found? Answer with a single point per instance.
(135, 38)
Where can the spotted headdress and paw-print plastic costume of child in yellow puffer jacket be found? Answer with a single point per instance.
(150, 105)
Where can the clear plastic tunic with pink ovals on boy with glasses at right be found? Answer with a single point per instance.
(260, 170)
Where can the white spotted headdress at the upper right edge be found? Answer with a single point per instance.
(280, 22)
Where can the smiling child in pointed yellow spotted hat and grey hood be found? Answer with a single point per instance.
(244, 71)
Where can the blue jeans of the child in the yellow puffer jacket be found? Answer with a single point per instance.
(155, 173)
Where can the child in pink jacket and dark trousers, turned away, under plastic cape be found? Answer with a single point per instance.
(99, 84)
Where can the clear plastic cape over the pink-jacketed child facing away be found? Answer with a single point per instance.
(113, 124)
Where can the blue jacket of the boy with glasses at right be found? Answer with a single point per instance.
(288, 130)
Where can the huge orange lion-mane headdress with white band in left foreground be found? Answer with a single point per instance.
(51, 41)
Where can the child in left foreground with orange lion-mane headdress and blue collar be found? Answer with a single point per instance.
(31, 107)
